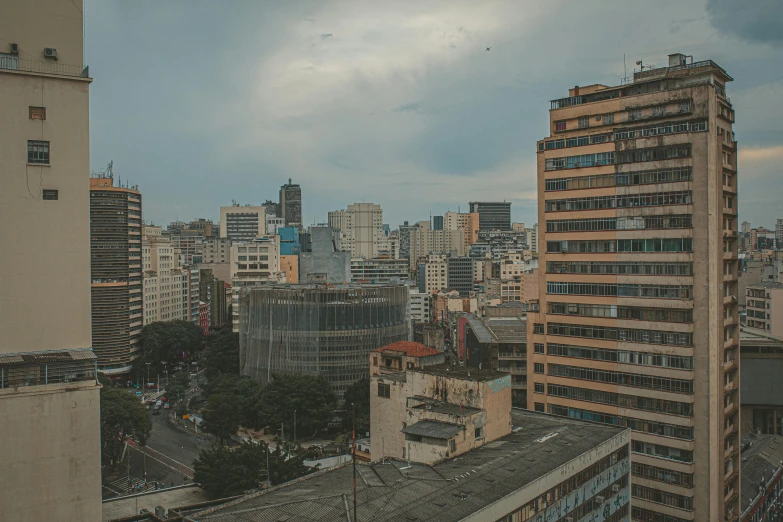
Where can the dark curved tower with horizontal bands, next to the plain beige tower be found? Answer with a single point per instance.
(116, 268)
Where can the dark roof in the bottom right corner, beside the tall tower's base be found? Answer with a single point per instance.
(762, 456)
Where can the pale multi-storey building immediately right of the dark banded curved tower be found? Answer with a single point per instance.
(165, 283)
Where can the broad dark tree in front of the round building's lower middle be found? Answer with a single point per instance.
(310, 396)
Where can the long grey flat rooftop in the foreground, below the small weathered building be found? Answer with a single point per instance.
(446, 492)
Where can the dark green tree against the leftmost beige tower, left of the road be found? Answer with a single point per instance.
(122, 415)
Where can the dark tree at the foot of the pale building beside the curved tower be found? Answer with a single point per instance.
(168, 342)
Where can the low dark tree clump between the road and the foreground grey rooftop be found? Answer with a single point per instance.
(223, 472)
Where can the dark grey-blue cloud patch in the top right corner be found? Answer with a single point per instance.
(756, 21)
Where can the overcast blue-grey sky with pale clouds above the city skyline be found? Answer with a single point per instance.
(392, 102)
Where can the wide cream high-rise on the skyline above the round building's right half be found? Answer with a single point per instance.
(361, 228)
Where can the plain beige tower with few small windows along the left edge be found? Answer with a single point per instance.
(50, 453)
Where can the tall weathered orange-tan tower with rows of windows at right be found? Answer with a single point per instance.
(637, 197)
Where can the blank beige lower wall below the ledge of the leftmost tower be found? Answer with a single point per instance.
(50, 453)
